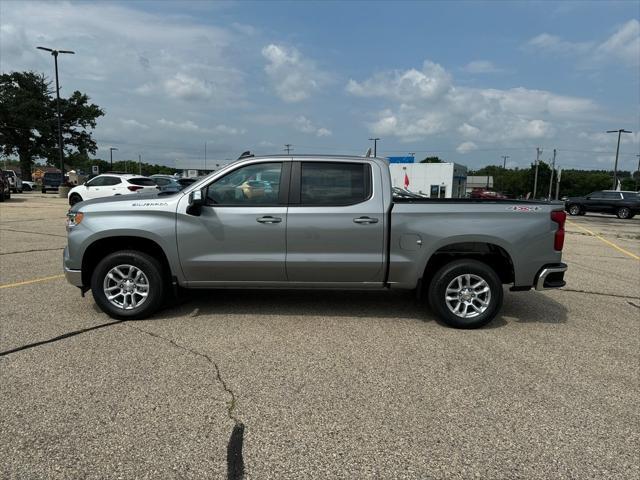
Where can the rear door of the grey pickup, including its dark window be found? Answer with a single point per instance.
(335, 223)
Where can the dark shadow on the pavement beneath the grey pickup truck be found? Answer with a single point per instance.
(521, 308)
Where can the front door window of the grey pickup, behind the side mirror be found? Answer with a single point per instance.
(257, 184)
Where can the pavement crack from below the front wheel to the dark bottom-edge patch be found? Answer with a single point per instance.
(235, 459)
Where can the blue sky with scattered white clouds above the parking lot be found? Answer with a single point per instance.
(468, 81)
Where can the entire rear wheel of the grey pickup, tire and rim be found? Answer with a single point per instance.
(466, 294)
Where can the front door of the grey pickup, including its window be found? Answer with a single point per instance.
(239, 235)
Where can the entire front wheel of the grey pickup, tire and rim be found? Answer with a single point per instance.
(128, 285)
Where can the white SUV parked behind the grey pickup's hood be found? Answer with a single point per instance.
(111, 184)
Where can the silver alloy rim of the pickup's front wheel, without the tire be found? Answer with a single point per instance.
(126, 287)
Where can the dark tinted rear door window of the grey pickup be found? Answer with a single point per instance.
(325, 183)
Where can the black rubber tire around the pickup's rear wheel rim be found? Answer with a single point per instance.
(449, 273)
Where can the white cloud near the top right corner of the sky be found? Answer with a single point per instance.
(623, 47)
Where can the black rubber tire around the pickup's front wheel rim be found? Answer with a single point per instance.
(151, 268)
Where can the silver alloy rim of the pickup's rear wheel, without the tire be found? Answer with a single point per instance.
(468, 295)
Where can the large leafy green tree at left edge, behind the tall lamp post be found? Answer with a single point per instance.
(28, 124)
